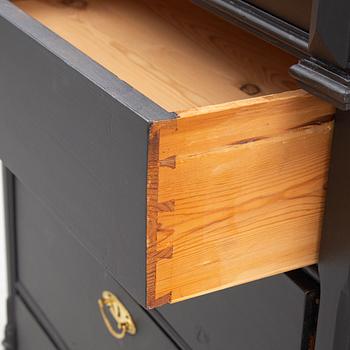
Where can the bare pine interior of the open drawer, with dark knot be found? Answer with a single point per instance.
(177, 54)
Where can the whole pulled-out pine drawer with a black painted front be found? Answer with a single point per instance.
(175, 147)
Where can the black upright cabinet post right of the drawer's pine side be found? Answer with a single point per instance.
(334, 322)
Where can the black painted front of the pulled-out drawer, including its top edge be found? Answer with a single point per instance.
(77, 136)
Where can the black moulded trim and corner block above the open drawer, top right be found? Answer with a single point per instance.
(324, 53)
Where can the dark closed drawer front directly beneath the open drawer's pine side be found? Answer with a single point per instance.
(276, 313)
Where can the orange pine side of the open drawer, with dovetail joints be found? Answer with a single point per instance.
(235, 193)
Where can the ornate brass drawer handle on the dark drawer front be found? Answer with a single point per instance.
(120, 314)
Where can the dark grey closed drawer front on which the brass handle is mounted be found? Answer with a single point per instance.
(66, 283)
